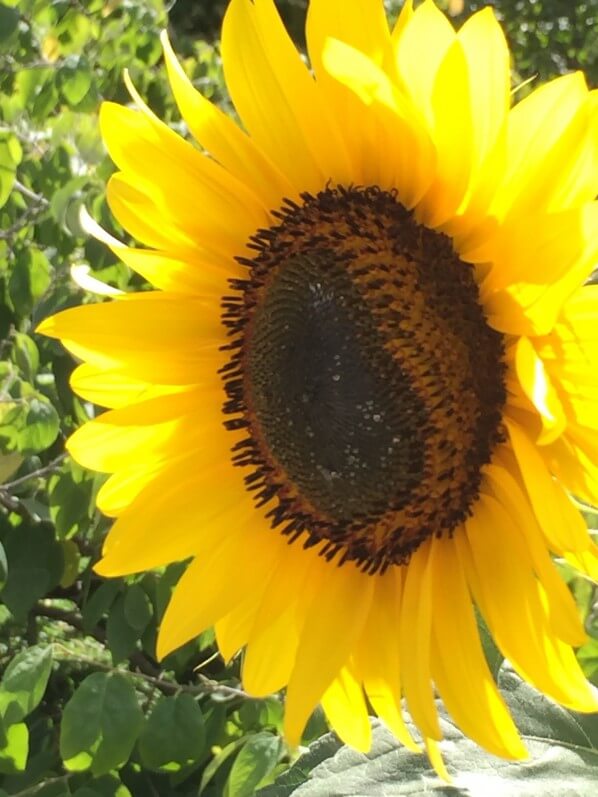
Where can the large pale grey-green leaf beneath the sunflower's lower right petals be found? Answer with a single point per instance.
(562, 747)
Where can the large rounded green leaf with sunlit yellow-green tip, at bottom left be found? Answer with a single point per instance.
(100, 724)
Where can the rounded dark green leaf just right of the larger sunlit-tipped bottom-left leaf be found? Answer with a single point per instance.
(174, 735)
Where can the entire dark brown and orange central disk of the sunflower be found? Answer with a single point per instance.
(365, 373)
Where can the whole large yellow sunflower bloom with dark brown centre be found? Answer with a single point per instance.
(364, 387)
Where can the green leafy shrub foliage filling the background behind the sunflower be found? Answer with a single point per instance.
(85, 708)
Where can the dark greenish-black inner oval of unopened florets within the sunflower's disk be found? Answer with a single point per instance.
(334, 407)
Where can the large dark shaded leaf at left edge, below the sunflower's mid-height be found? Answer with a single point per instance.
(35, 564)
